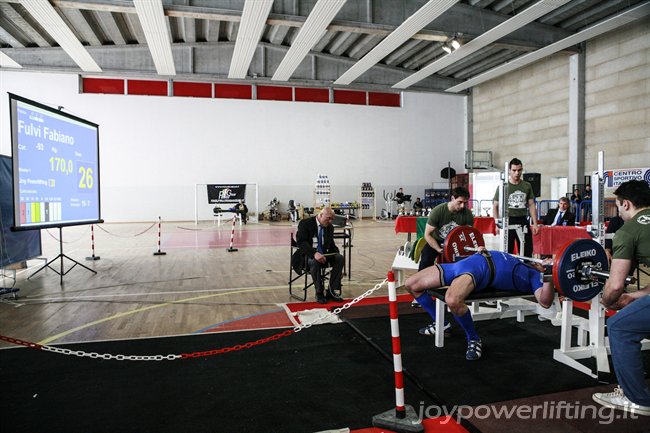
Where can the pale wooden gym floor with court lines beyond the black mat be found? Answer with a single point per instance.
(199, 287)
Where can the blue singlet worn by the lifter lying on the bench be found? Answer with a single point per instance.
(511, 275)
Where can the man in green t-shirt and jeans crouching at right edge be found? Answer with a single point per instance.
(627, 328)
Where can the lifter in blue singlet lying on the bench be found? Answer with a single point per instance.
(483, 271)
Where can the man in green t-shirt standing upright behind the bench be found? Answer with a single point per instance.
(521, 202)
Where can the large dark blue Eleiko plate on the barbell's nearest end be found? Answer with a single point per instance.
(568, 262)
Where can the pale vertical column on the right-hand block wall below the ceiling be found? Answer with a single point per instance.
(576, 155)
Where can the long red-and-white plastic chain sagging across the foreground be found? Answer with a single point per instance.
(199, 354)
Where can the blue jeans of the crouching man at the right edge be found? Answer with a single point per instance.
(626, 329)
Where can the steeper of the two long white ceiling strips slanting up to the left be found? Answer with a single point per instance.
(154, 24)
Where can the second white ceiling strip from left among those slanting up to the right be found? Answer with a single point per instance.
(311, 32)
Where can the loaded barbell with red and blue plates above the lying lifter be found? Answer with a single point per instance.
(580, 267)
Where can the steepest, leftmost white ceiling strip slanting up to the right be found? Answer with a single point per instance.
(252, 24)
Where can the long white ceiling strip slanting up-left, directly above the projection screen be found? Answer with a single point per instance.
(49, 19)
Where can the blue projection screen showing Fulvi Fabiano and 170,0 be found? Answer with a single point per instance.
(55, 166)
